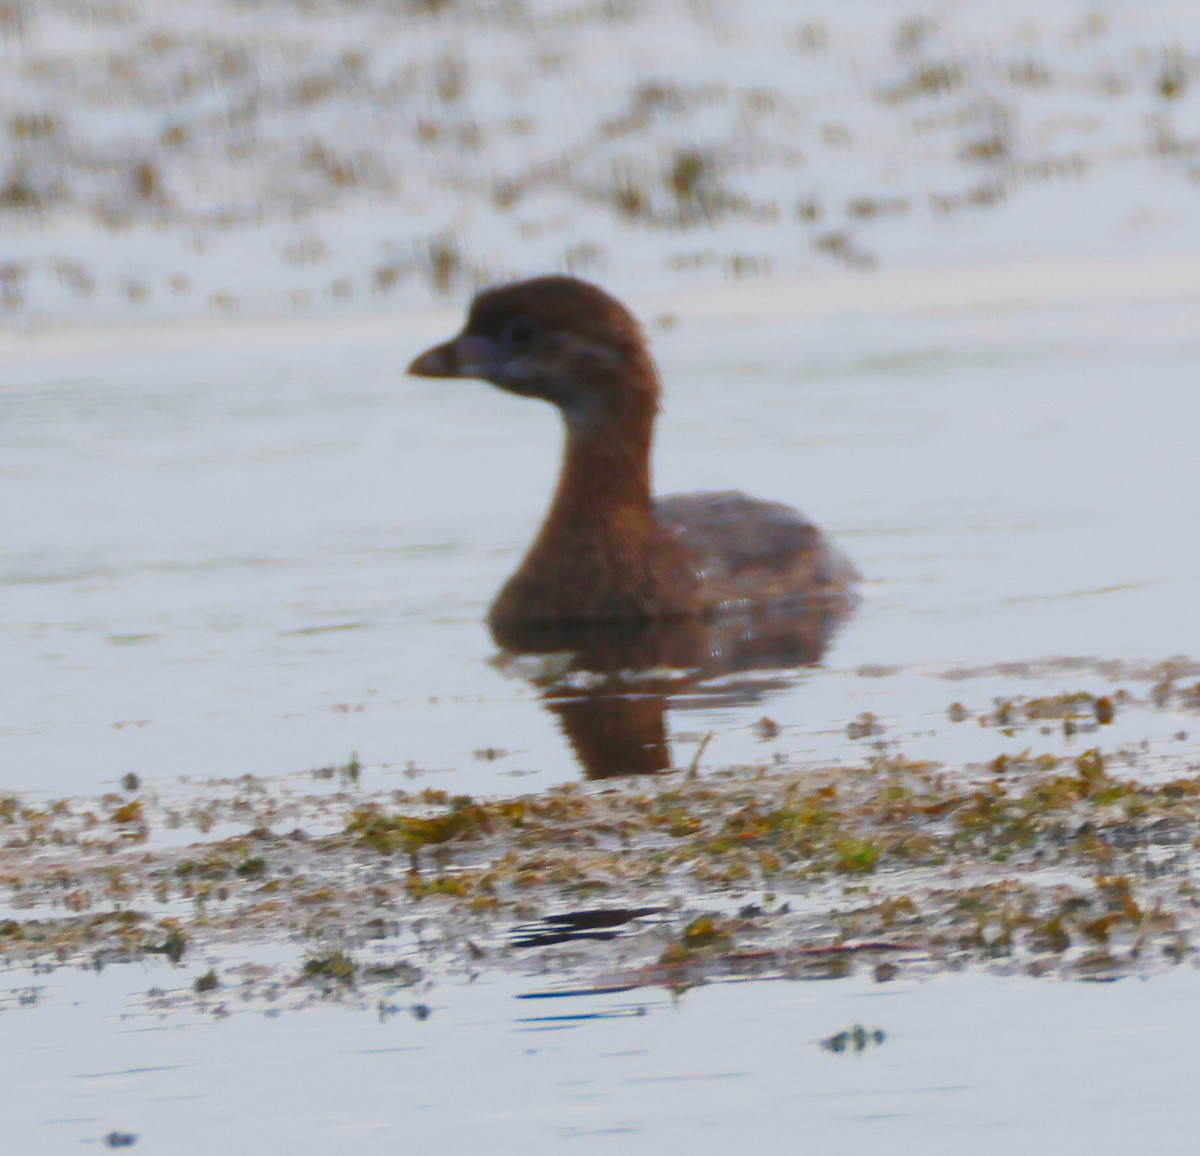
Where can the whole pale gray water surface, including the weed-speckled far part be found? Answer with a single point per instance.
(233, 548)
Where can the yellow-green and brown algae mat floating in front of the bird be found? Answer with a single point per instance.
(1047, 862)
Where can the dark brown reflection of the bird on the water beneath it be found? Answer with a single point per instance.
(609, 685)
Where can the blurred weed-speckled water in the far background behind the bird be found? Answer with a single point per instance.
(254, 158)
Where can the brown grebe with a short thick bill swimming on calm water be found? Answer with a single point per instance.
(608, 550)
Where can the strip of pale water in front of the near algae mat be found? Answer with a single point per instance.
(982, 1063)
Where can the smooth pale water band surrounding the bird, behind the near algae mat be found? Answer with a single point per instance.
(257, 550)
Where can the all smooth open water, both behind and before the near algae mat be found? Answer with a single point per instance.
(261, 549)
